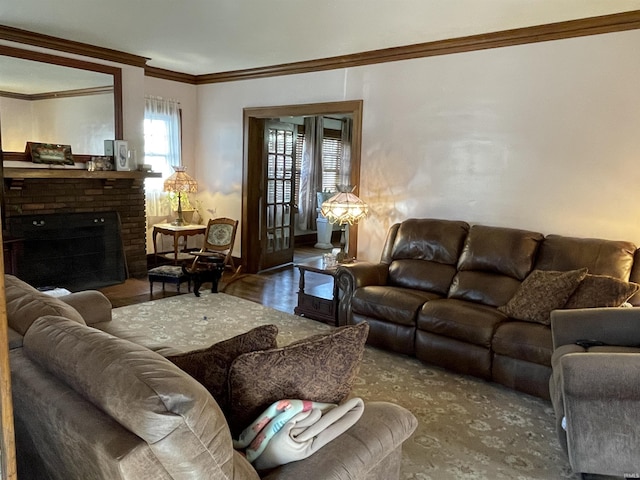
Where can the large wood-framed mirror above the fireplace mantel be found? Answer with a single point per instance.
(51, 99)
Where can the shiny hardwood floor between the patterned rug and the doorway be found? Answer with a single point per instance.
(276, 288)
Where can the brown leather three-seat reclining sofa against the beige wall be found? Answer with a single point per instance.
(436, 291)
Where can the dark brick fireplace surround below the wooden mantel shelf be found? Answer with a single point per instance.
(125, 196)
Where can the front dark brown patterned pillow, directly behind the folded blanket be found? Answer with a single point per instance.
(321, 368)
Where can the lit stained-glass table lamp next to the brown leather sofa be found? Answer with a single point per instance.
(344, 208)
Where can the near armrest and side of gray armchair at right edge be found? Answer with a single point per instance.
(601, 397)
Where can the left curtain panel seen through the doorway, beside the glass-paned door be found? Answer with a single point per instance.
(311, 173)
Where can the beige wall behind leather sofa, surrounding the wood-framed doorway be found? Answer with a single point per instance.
(541, 136)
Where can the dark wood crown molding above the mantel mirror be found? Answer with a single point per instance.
(46, 41)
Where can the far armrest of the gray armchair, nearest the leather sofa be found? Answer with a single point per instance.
(614, 326)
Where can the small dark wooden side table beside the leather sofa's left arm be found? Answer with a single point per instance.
(319, 301)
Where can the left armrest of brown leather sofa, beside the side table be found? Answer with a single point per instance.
(349, 277)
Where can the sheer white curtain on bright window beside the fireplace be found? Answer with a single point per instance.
(162, 149)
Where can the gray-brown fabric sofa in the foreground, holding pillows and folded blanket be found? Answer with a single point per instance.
(89, 405)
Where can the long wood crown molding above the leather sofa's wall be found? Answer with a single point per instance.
(505, 38)
